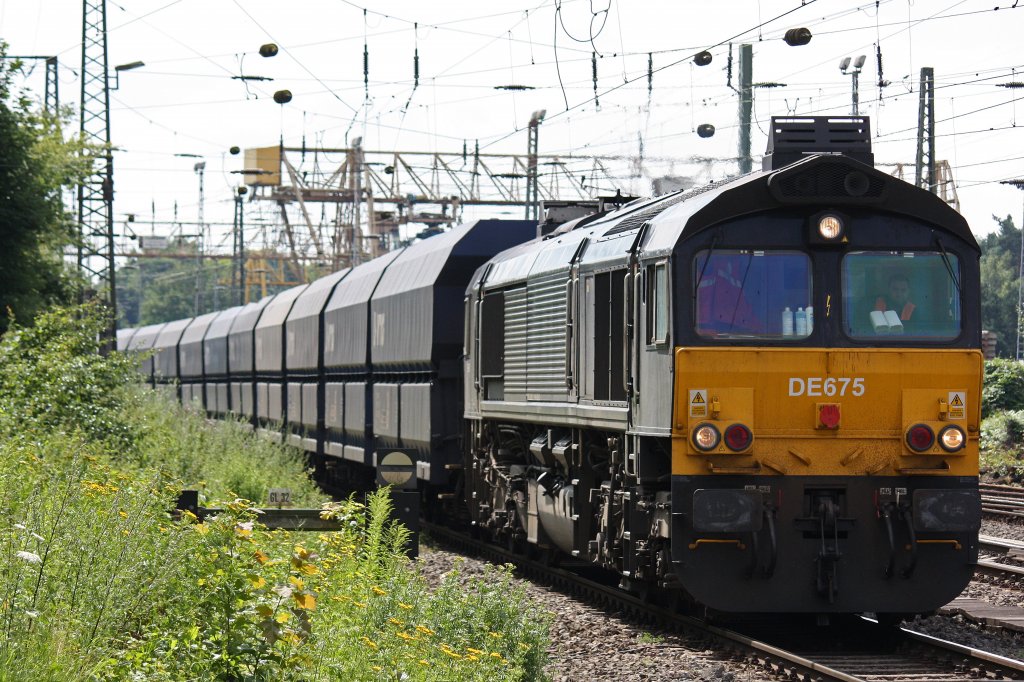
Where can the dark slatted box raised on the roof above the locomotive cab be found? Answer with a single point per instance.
(795, 138)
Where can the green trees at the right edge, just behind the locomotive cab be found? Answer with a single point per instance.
(1001, 252)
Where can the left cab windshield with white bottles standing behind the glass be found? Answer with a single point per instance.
(753, 294)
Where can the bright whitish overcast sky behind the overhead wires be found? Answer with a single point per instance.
(185, 101)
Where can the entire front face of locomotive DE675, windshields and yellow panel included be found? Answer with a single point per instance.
(827, 399)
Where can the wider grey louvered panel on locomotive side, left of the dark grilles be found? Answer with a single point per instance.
(546, 339)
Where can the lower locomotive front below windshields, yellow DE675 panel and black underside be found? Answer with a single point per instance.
(827, 480)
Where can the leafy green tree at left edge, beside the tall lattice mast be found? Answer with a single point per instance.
(37, 163)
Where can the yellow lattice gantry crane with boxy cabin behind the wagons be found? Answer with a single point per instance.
(376, 194)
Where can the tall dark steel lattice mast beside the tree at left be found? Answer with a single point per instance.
(96, 194)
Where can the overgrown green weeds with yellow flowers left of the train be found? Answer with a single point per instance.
(99, 582)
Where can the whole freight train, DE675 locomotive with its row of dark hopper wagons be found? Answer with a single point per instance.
(763, 394)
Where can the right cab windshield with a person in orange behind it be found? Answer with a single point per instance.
(902, 294)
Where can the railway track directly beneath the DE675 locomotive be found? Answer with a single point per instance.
(852, 651)
